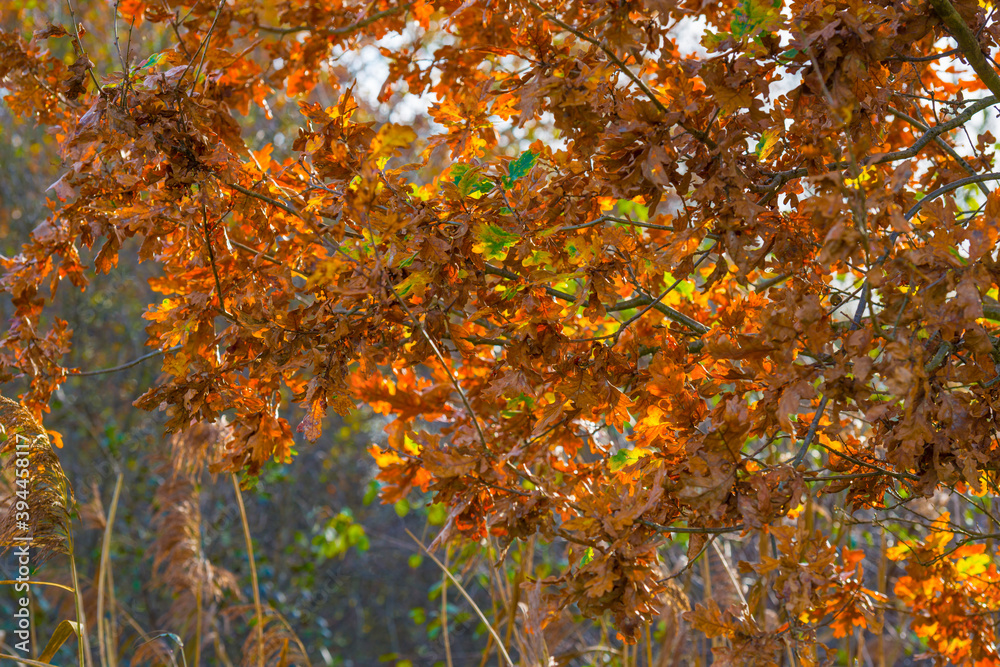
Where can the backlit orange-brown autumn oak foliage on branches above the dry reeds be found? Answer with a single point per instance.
(645, 273)
